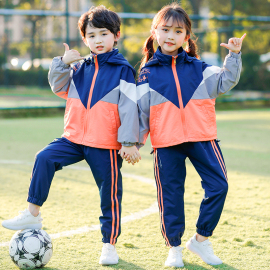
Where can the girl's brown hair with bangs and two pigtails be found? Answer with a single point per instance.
(179, 15)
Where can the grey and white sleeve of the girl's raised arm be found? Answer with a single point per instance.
(221, 80)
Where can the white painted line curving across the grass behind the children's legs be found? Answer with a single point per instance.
(135, 216)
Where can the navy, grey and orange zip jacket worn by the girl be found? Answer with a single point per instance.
(176, 97)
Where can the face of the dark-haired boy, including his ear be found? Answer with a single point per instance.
(100, 40)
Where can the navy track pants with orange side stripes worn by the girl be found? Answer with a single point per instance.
(170, 174)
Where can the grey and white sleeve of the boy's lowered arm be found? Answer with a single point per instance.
(128, 132)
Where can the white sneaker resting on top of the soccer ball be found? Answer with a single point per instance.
(23, 221)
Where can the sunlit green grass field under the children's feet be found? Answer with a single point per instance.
(241, 239)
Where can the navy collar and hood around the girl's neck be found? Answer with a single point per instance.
(164, 59)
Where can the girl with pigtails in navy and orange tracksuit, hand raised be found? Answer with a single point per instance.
(176, 99)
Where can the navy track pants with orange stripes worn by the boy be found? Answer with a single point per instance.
(105, 165)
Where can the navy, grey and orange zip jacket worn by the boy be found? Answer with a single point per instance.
(101, 108)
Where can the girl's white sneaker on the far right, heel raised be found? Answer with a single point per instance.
(204, 250)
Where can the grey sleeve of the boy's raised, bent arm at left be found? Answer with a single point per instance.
(60, 76)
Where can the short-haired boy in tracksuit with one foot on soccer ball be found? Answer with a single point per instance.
(101, 117)
